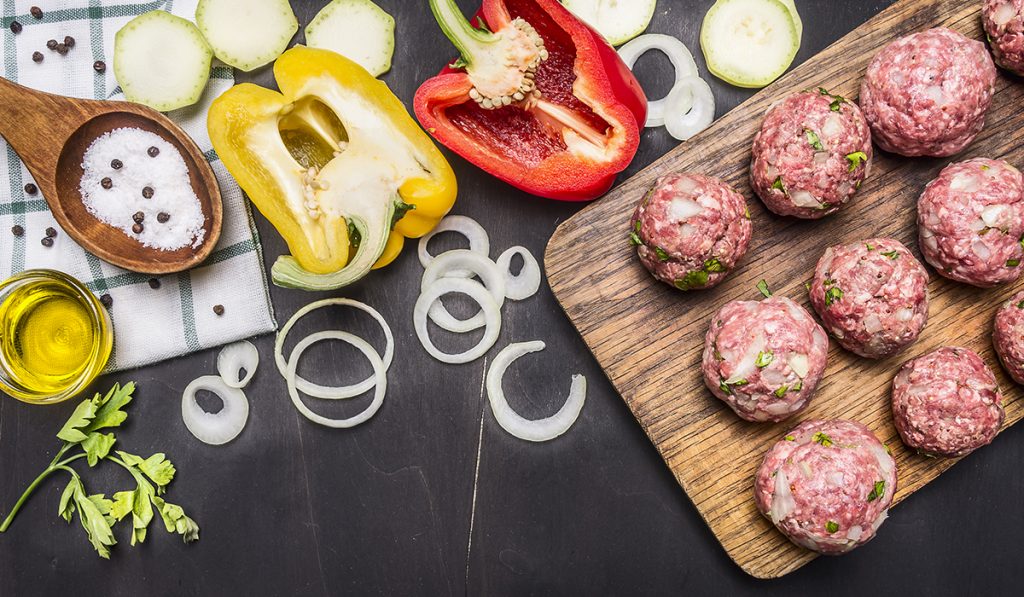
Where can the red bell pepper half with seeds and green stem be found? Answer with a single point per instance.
(538, 99)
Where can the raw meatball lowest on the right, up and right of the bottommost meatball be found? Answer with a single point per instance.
(947, 403)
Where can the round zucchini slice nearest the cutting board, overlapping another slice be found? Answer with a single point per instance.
(749, 44)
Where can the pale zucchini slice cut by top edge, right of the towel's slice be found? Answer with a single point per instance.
(247, 34)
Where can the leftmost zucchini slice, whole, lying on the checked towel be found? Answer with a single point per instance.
(161, 61)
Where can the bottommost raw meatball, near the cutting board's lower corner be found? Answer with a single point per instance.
(827, 486)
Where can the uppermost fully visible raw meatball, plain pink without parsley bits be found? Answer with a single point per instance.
(927, 94)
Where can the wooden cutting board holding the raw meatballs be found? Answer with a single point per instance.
(649, 337)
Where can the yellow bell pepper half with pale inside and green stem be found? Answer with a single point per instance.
(335, 163)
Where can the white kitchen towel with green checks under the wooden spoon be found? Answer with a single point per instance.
(150, 324)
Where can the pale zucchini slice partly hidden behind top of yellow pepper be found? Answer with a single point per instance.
(359, 30)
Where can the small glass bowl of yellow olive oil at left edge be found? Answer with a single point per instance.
(56, 337)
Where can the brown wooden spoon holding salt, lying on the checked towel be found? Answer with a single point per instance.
(51, 134)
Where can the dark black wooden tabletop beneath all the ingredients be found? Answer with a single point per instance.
(432, 497)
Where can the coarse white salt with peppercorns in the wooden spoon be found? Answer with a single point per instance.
(165, 174)
